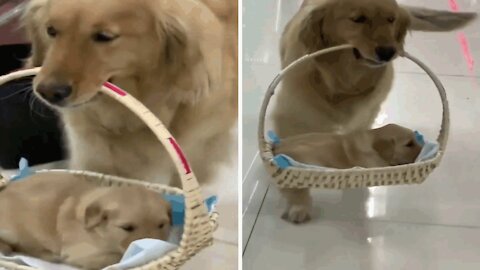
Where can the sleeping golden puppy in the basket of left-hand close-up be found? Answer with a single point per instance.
(63, 218)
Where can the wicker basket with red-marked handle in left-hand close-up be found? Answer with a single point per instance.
(199, 224)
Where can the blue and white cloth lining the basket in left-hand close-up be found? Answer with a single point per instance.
(139, 252)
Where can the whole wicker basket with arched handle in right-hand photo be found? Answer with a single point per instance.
(294, 177)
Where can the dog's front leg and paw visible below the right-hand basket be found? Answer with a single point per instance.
(299, 205)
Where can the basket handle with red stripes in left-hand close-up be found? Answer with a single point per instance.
(191, 188)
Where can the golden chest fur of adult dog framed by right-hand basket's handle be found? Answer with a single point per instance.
(330, 98)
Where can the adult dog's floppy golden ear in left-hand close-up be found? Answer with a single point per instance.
(189, 63)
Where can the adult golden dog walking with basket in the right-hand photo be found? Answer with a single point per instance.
(343, 91)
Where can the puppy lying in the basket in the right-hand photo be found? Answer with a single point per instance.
(390, 145)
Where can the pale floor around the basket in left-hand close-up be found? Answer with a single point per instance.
(223, 255)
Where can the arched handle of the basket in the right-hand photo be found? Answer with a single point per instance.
(445, 128)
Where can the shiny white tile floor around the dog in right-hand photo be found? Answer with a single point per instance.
(435, 225)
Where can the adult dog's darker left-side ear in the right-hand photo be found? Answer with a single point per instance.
(312, 33)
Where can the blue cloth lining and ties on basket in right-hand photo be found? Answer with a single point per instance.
(429, 150)
